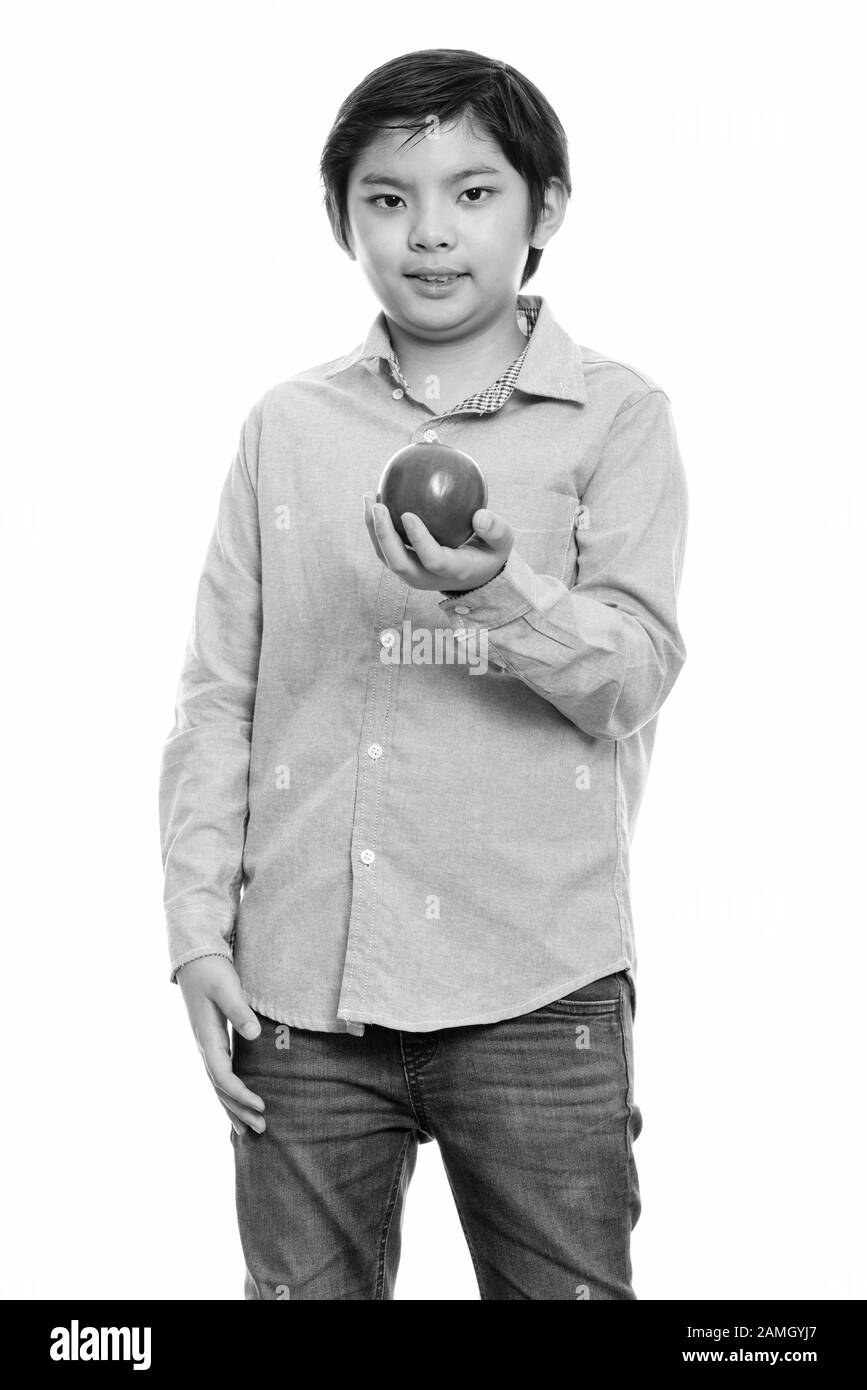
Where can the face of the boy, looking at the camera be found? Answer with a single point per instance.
(447, 198)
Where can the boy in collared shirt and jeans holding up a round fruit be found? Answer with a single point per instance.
(399, 869)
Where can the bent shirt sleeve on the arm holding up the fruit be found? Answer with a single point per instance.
(606, 653)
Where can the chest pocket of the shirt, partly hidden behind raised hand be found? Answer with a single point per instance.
(544, 526)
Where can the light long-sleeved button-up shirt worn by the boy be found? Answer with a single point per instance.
(397, 808)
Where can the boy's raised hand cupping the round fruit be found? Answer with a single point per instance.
(438, 566)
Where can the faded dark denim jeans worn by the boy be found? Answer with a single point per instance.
(536, 1121)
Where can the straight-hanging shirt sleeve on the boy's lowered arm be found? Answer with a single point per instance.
(206, 758)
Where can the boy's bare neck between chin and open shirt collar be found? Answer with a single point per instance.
(462, 366)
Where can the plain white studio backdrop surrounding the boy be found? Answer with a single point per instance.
(167, 259)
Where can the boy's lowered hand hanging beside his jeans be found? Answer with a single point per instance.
(213, 995)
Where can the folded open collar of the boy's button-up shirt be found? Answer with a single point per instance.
(552, 362)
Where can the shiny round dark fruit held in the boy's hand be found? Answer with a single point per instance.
(441, 484)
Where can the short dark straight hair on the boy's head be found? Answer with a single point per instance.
(449, 84)
